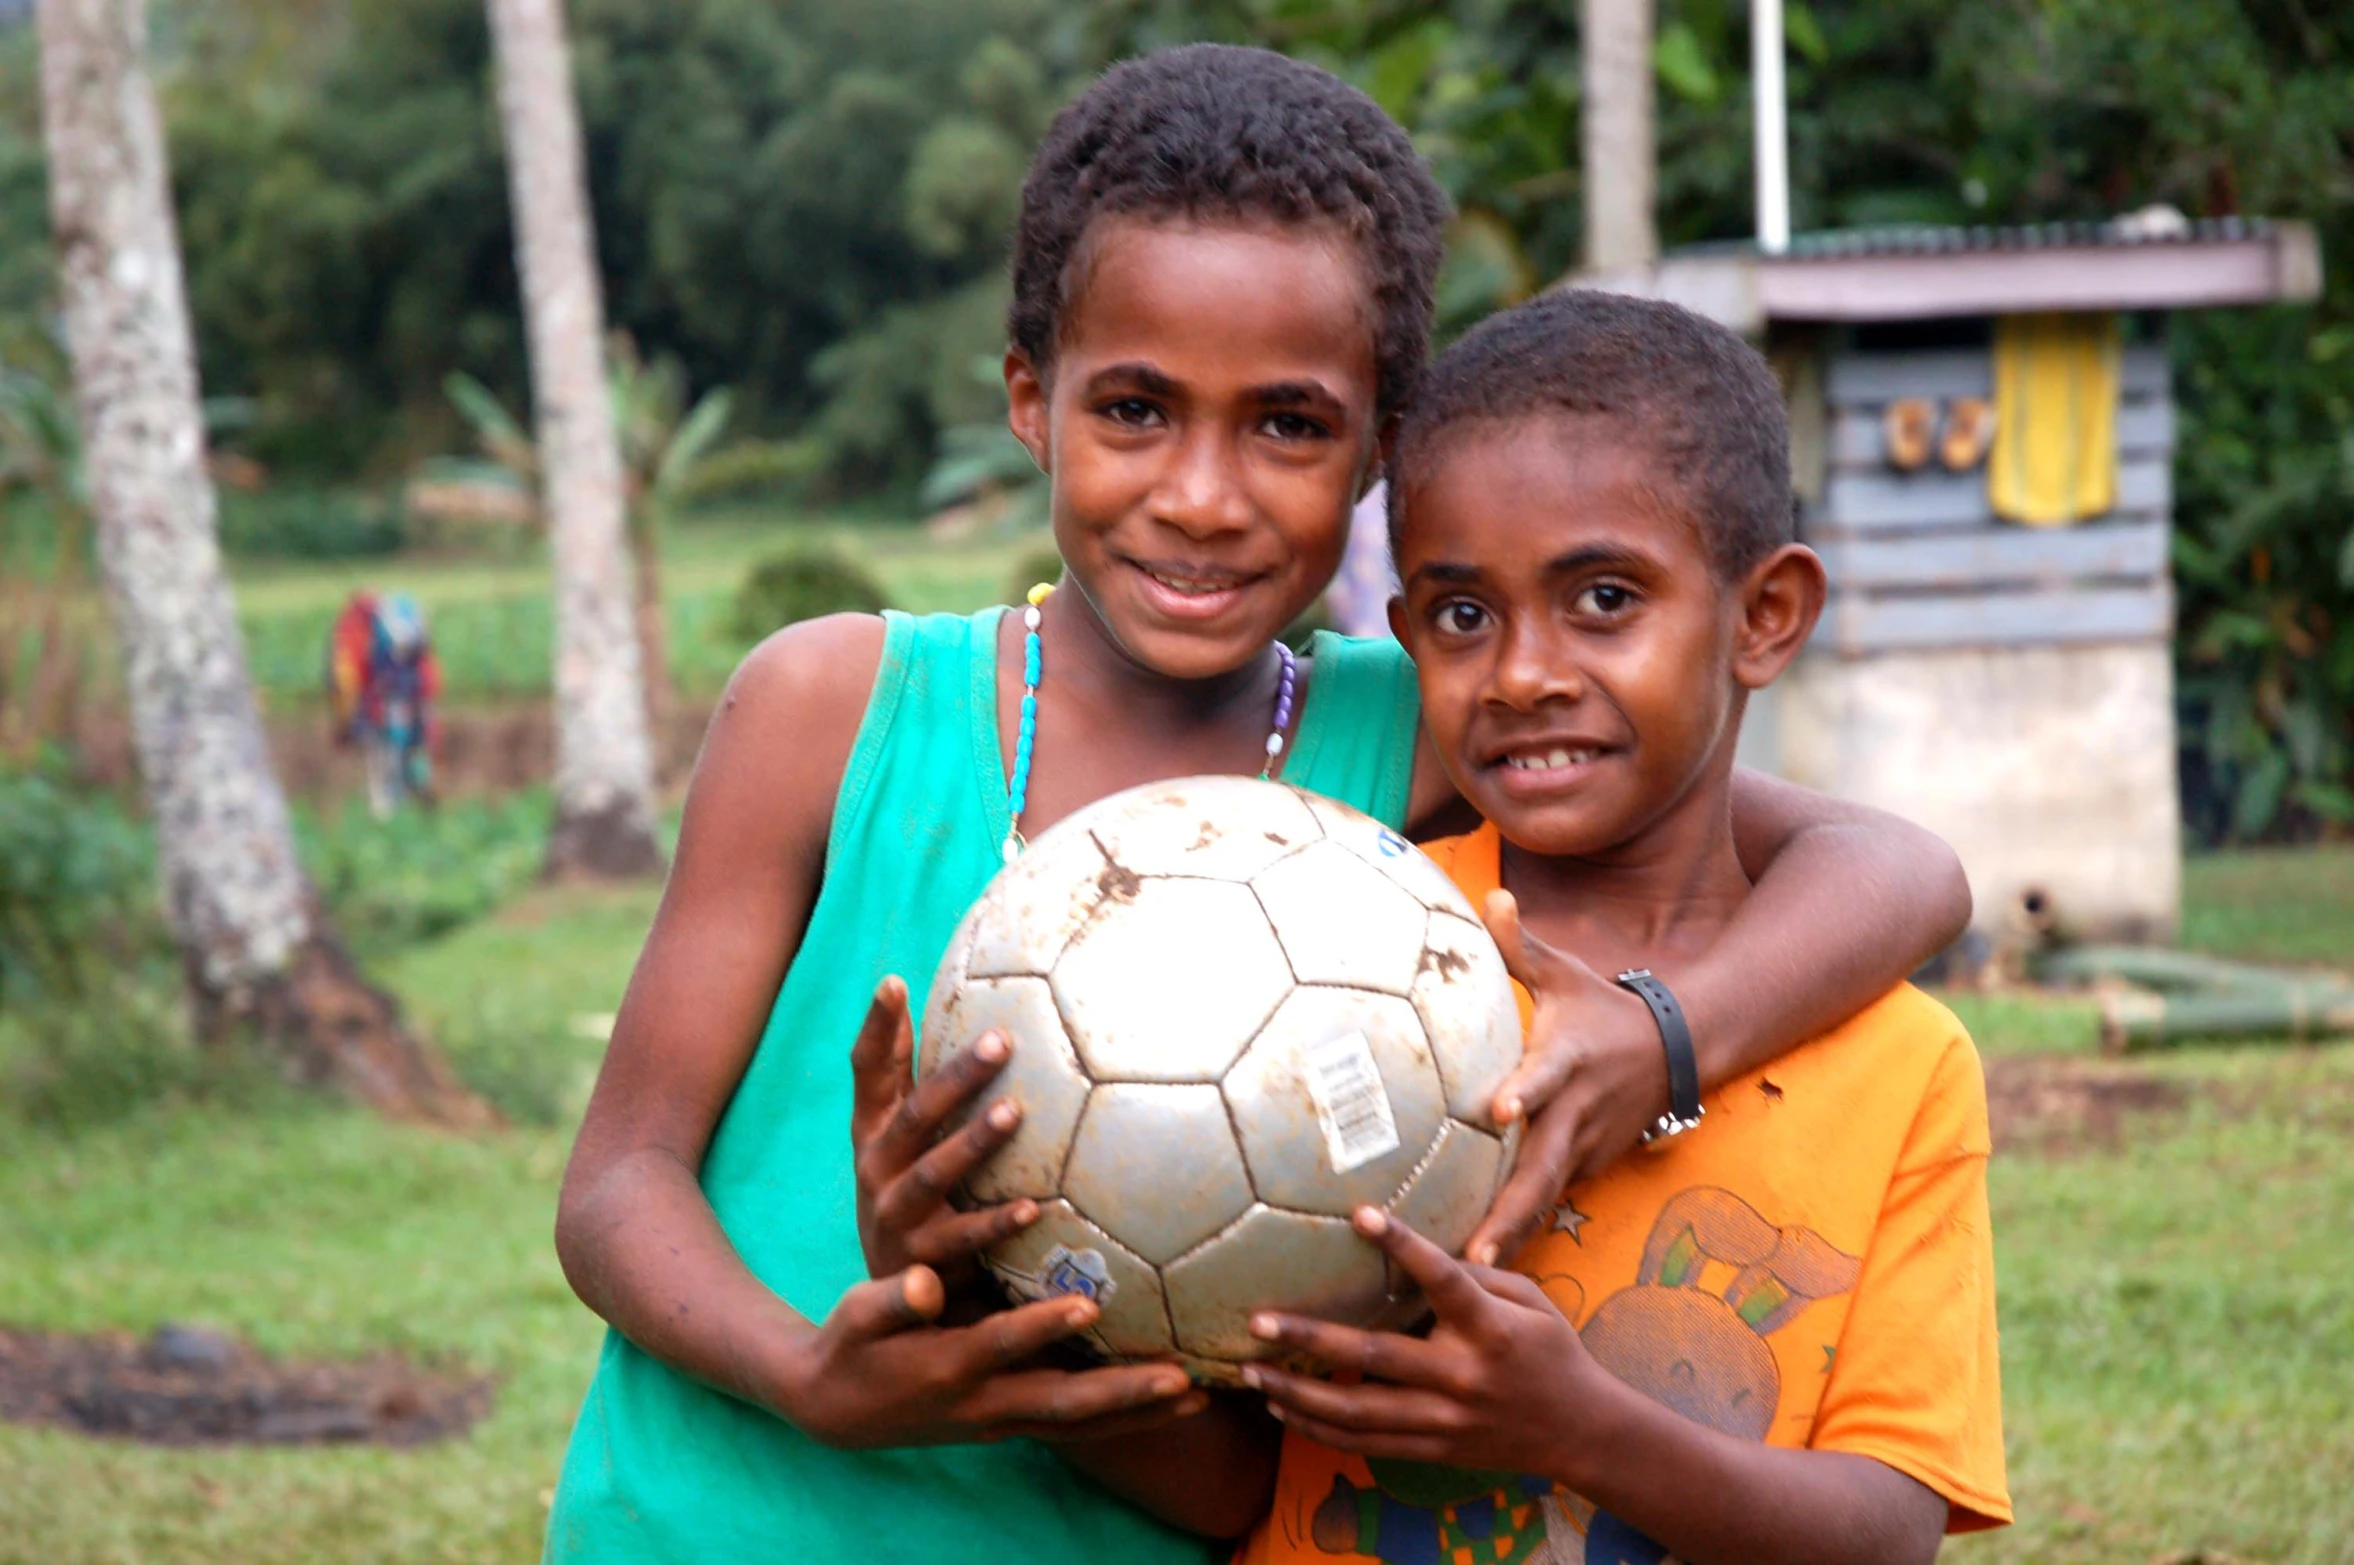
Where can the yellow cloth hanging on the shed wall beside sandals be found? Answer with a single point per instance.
(2054, 458)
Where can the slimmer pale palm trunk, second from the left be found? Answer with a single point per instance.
(604, 750)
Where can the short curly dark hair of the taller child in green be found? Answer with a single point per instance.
(1228, 133)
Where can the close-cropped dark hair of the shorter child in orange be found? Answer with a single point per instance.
(1703, 404)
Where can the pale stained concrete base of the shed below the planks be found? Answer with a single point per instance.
(2047, 768)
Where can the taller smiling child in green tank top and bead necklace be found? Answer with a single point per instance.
(1223, 291)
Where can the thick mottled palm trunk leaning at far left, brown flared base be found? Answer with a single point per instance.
(253, 938)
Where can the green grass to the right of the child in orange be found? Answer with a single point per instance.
(2179, 1319)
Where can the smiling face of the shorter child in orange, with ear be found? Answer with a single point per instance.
(1581, 660)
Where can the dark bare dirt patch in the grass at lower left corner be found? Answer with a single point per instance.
(199, 1387)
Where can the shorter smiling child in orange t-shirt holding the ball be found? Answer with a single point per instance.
(1771, 1338)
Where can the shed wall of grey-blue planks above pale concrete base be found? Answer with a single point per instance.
(2009, 688)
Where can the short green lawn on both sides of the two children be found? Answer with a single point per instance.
(2179, 1298)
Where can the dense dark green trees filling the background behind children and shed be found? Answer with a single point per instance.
(809, 201)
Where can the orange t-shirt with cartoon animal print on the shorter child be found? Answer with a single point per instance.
(1811, 1267)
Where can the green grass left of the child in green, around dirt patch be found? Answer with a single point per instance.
(321, 1232)
